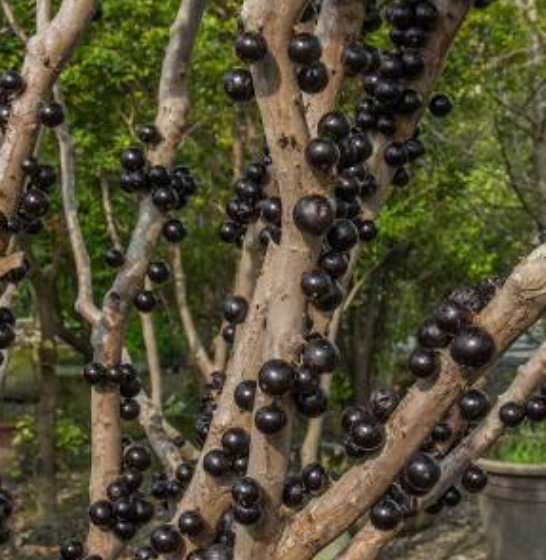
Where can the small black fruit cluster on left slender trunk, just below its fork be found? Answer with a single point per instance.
(123, 376)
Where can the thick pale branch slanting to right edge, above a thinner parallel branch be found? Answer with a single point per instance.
(516, 306)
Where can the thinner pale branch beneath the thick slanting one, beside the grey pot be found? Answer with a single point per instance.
(368, 543)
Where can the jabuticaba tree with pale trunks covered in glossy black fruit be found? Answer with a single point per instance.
(308, 207)
